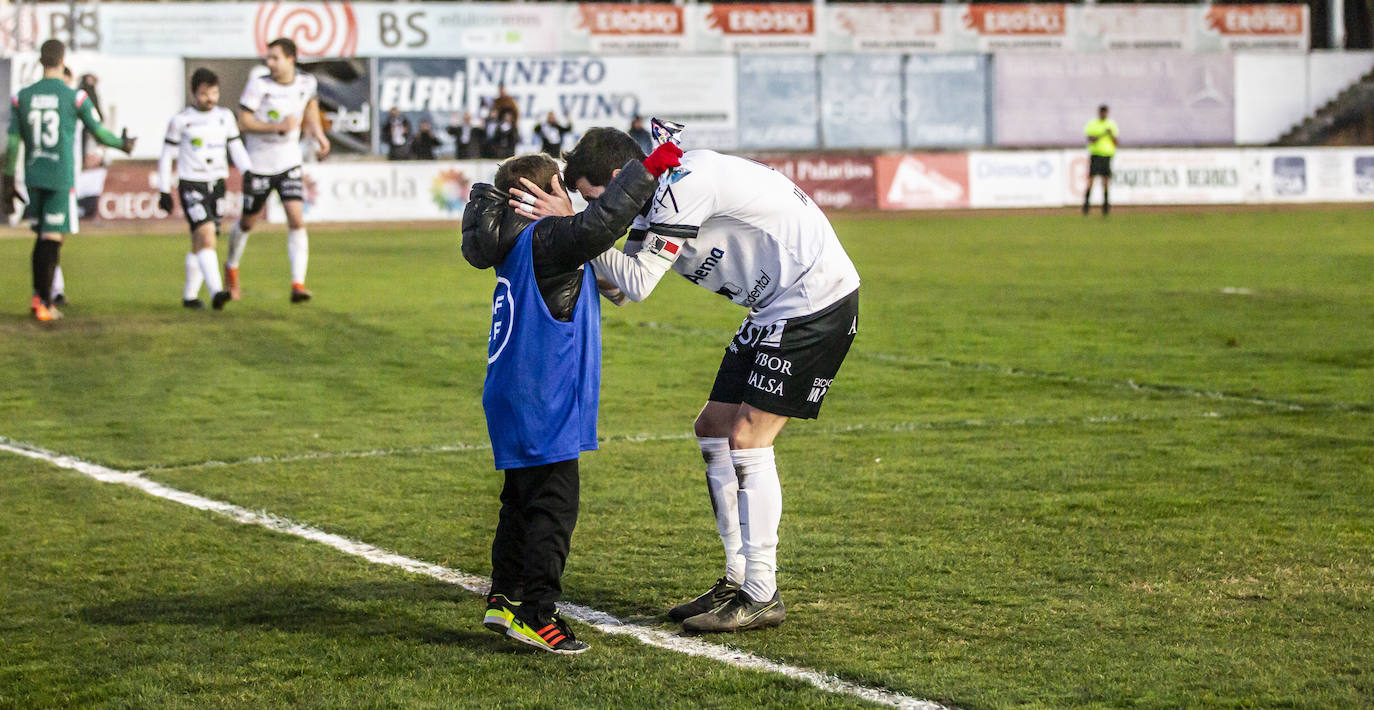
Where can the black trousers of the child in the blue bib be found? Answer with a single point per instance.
(539, 512)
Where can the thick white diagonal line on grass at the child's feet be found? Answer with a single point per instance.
(600, 620)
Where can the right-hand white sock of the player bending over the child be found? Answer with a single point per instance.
(761, 512)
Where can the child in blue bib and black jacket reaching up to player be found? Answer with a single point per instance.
(543, 377)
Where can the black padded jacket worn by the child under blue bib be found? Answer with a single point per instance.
(563, 245)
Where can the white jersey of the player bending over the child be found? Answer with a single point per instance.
(747, 233)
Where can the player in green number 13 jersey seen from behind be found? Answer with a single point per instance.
(45, 123)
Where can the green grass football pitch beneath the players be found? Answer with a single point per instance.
(1070, 463)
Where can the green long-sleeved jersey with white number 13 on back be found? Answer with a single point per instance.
(45, 119)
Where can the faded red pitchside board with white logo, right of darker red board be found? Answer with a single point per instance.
(923, 182)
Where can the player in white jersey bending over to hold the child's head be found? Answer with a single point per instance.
(747, 233)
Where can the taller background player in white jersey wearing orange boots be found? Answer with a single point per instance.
(271, 115)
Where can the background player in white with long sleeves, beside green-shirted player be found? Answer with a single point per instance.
(199, 139)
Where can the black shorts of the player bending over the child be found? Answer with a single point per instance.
(787, 369)
